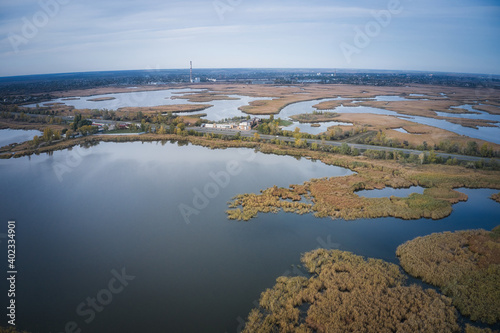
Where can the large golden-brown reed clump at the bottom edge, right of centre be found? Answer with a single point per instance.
(348, 293)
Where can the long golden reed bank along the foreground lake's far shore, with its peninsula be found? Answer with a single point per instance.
(334, 197)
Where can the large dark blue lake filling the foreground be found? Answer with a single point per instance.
(86, 216)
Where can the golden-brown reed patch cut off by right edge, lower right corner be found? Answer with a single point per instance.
(464, 264)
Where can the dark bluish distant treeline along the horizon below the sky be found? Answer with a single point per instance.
(34, 84)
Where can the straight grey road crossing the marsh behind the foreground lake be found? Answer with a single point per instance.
(360, 147)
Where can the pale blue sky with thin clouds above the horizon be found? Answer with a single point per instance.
(60, 36)
